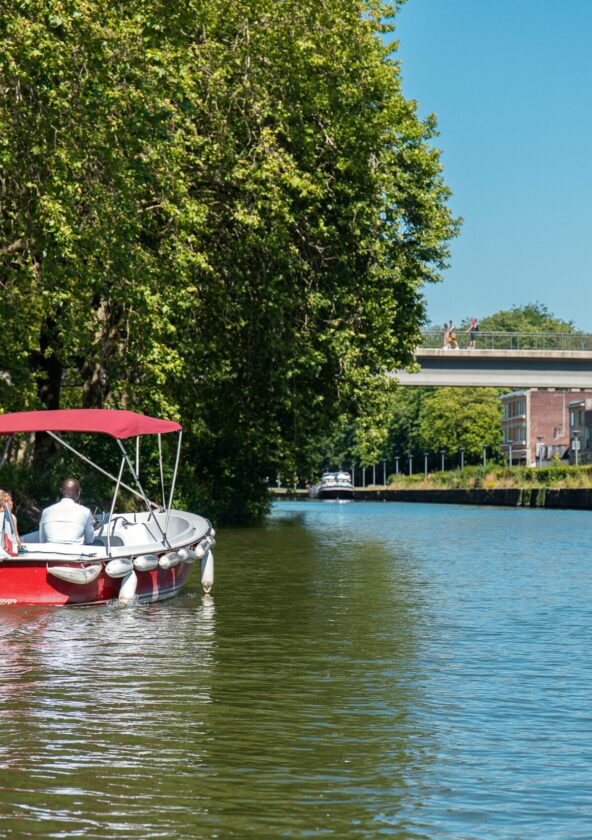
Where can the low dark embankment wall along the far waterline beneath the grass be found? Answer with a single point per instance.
(542, 497)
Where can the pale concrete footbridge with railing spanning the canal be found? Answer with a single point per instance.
(505, 360)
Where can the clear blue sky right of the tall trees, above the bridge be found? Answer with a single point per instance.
(510, 82)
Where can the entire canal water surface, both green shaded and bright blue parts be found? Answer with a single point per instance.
(362, 670)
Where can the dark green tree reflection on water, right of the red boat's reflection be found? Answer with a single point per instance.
(317, 679)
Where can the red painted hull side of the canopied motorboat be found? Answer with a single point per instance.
(26, 582)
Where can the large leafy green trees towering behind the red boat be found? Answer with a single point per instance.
(225, 213)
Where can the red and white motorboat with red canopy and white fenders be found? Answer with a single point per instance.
(136, 557)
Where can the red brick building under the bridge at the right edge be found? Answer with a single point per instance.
(536, 424)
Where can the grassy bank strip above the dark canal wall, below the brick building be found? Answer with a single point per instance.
(494, 477)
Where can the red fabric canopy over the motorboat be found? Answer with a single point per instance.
(118, 424)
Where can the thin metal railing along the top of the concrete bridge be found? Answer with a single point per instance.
(511, 341)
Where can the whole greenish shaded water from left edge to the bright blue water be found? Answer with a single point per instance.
(283, 706)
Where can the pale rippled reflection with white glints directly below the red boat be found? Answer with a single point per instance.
(96, 714)
